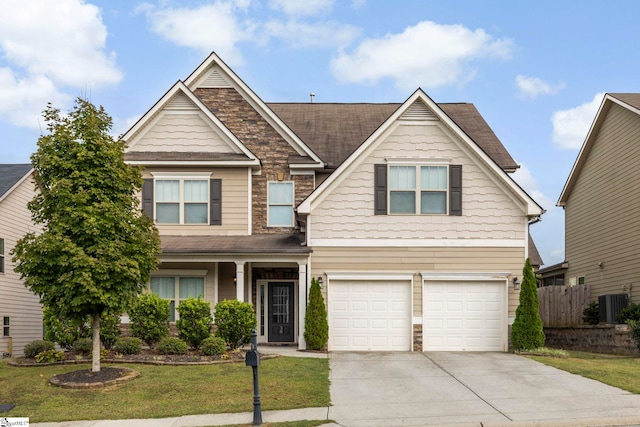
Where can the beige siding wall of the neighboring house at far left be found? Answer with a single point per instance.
(16, 301)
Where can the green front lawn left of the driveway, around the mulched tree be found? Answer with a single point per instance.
(167, 391)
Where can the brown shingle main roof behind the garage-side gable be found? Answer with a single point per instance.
(334, 131)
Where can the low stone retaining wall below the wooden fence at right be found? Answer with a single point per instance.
(612, 339)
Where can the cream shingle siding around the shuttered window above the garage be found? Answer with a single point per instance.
(488, 212)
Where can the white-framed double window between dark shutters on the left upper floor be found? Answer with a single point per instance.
(182, 201)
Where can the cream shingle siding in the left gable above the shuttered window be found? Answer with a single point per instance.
(182, 132)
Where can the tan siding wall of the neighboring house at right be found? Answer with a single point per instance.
(601, 214)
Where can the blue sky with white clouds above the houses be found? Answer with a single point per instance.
(536, 71)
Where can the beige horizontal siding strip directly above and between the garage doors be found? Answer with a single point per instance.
(417, 260)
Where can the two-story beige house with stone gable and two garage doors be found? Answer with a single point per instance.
(404, 212)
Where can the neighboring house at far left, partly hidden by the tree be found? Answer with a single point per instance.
(20, 309)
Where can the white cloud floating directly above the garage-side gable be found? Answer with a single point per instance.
(427, 55)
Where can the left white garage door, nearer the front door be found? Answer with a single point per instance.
(369, 315)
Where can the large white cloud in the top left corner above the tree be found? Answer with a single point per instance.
(47, 48)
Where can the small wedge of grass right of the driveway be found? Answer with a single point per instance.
(618, 371)
